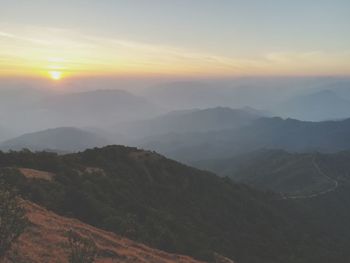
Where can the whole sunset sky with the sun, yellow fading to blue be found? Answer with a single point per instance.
(218, 38)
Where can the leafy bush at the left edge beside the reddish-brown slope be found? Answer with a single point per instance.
(12, 218)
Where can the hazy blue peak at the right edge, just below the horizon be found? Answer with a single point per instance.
(322, 105)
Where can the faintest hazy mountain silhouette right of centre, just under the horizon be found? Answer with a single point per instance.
(235, 93)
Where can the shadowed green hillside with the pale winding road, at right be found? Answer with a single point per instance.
(318, 183)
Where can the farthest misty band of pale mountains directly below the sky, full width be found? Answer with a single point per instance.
(29, 108)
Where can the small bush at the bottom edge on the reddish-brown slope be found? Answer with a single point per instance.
(82, 250)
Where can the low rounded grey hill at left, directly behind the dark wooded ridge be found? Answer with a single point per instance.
(59, 139)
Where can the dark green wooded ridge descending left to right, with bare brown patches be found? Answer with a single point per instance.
(151, 199)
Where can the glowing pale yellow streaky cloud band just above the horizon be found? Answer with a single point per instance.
(34, 48)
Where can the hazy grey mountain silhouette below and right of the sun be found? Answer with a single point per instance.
(100, 108)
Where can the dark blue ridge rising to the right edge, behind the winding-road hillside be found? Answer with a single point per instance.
(269, 133)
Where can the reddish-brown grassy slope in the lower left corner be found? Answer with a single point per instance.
(45, 240)
